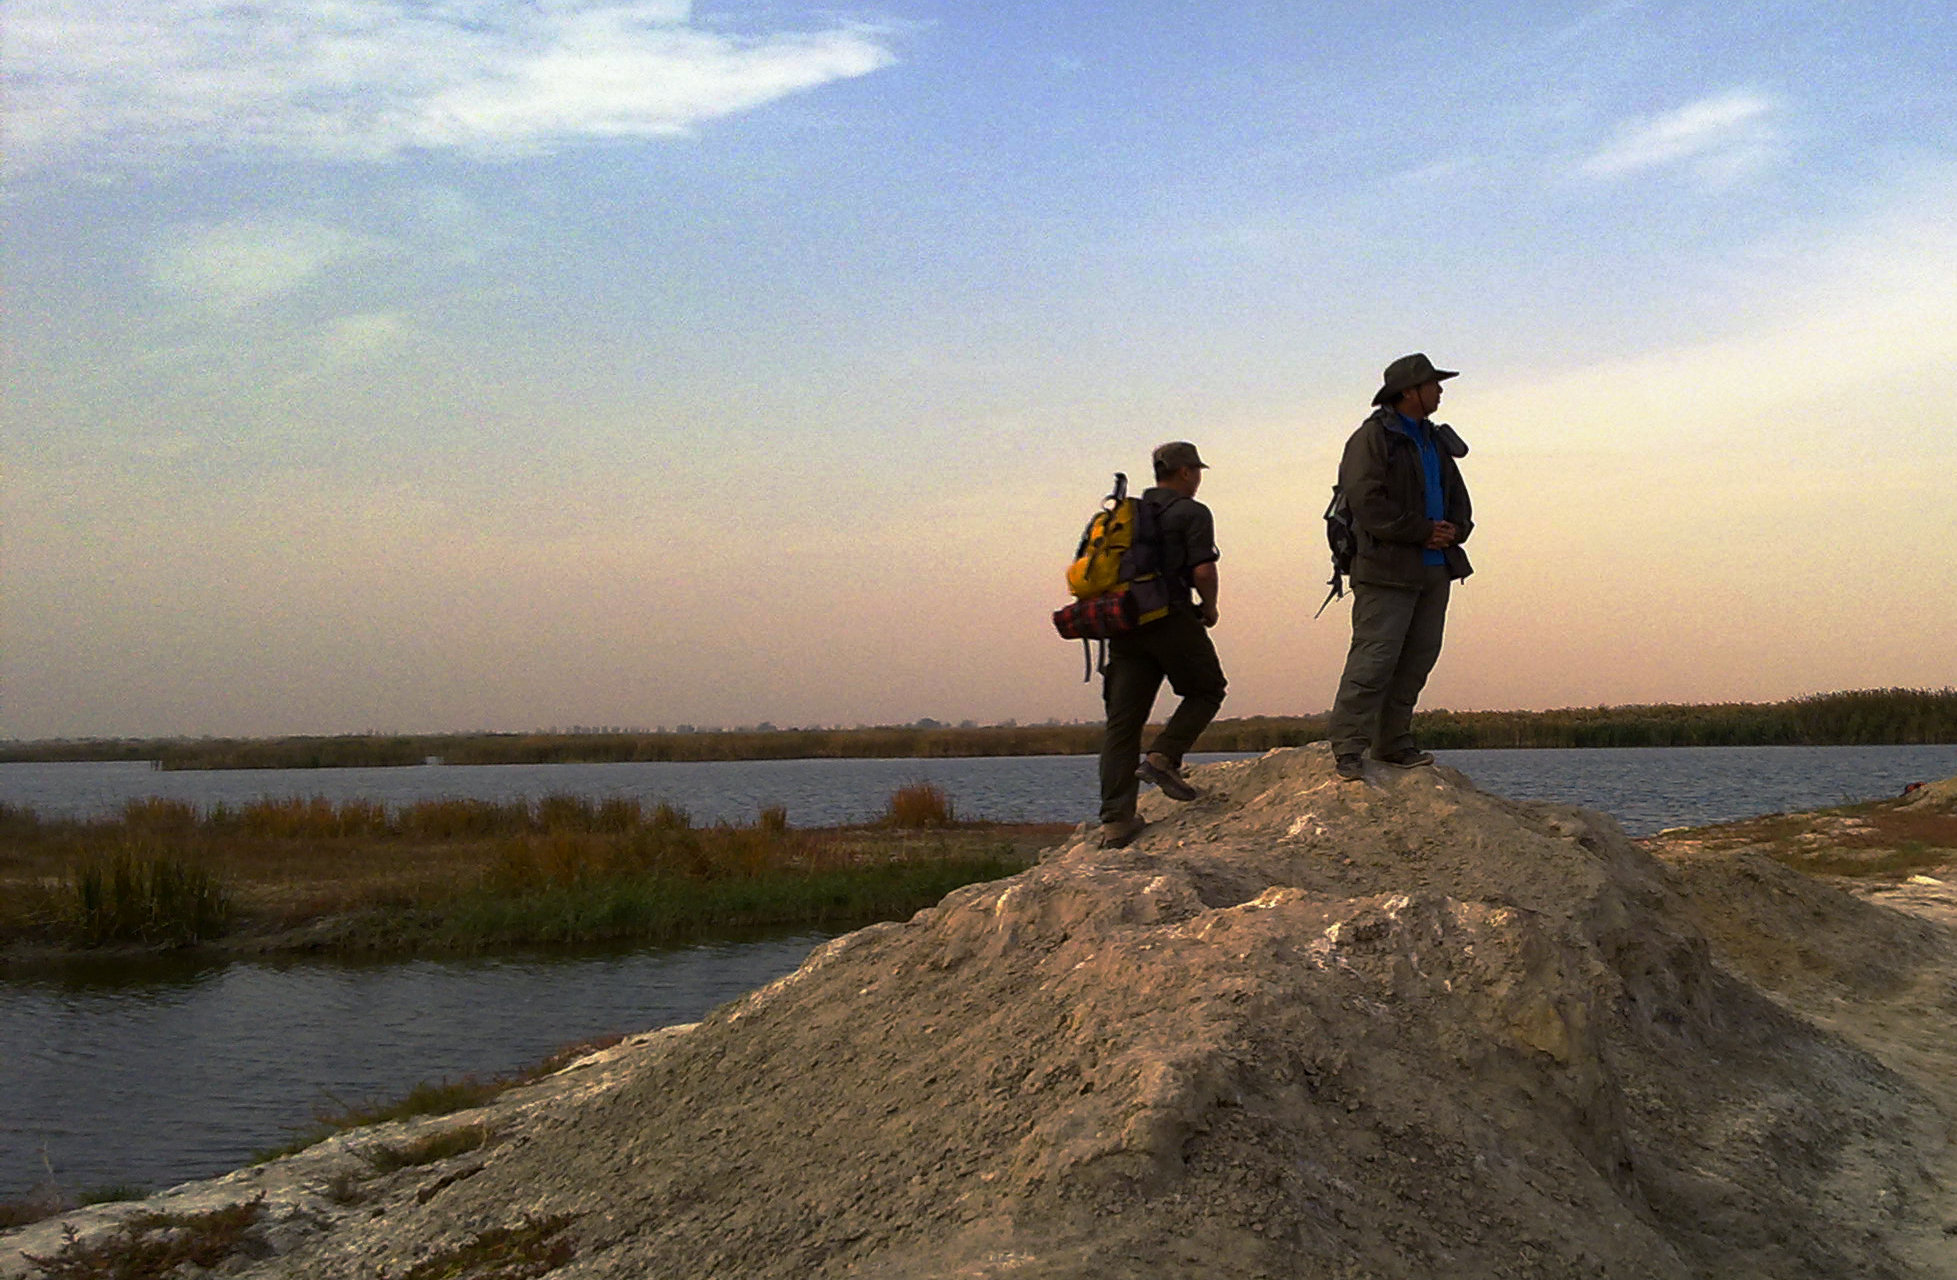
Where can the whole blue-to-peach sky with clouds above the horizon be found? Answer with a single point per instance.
(471, 365)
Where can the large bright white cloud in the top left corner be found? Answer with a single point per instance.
(367, 81)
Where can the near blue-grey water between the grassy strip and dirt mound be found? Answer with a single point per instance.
(169, 1075)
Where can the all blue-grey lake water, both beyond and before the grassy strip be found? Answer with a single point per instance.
(156, 1074)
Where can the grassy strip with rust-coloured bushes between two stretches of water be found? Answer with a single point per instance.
(467, 876)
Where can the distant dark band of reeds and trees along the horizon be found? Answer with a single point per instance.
(1864, 717)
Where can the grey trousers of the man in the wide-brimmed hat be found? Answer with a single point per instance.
(1396, 639)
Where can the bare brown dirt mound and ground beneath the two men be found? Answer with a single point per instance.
(1300, 1029)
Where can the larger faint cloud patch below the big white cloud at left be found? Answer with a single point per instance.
(236, 265)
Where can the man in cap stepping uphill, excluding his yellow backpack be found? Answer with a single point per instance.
(1175, 647)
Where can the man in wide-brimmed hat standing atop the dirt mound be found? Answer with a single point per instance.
(1412, 516)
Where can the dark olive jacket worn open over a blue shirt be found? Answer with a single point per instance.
(1381, 479)
